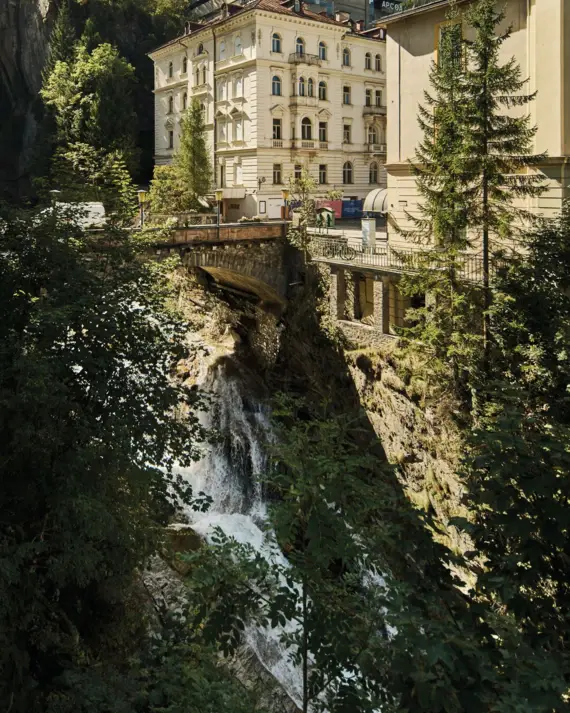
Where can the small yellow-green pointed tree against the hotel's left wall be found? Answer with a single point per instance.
(177, 187)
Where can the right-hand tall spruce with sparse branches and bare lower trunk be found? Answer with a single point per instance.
(498, 141)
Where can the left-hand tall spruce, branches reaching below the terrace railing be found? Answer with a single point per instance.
(441, 332)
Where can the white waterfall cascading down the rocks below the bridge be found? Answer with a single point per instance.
(227, 473)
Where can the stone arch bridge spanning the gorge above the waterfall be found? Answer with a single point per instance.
(253, 259)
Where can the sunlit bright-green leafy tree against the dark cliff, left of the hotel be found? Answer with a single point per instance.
(91, 98)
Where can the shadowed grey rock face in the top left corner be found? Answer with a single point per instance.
(25, 26)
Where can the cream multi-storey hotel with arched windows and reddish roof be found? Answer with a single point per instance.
(281, 88)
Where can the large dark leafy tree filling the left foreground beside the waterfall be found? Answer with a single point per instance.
(90, 434)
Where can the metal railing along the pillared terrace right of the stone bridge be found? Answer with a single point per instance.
(469, 268)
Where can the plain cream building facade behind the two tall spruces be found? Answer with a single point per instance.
(540, 43)
